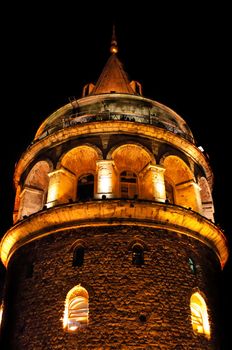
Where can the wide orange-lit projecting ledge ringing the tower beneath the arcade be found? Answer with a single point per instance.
(115, 212)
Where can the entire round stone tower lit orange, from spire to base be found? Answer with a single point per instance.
(114, 244)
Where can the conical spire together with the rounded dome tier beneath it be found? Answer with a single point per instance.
(114, 97)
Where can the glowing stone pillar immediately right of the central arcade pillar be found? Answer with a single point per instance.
(153, 183)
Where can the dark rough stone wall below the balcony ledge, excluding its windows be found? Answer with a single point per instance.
(130, 307)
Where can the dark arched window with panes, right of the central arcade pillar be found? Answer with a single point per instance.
(128, 184)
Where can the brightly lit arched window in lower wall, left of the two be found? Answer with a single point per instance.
(76, 309)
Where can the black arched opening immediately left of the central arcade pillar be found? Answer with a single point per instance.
(85, 187)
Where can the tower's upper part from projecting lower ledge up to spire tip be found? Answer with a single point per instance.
(115, 144)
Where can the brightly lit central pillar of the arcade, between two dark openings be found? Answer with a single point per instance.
(106, 179)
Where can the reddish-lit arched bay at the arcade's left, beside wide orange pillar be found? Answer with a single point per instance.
(34, 192)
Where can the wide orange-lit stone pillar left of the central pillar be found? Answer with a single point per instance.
(62, 187)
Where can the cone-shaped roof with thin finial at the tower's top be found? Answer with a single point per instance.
(113, 77)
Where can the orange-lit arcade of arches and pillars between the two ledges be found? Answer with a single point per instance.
(151, 160)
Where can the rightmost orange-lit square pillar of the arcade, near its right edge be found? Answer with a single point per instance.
(188, 195)
